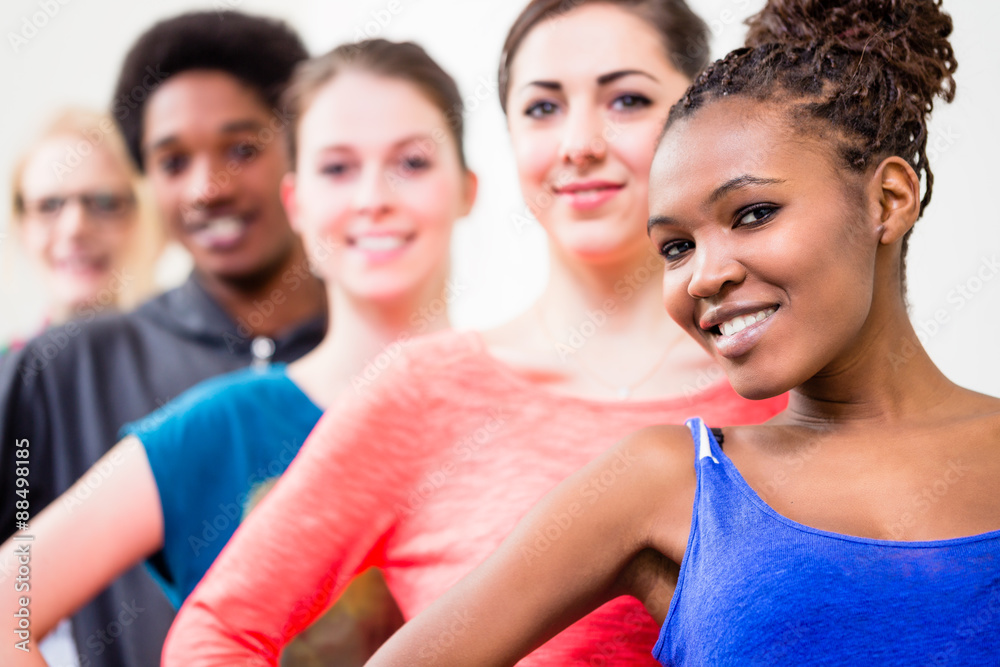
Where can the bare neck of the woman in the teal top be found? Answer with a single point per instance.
(362, 331)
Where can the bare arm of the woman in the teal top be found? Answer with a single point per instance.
(99, 528)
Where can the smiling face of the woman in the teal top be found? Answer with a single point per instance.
(378, 185)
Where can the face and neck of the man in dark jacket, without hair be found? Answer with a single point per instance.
(214, 154)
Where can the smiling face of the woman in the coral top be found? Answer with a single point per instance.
(589, 91)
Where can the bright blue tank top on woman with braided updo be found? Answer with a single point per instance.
(756, 588)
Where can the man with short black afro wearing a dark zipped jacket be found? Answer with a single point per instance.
(198, 103)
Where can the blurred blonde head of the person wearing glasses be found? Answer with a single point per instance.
(83, 220)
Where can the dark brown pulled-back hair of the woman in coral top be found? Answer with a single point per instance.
(684, 34)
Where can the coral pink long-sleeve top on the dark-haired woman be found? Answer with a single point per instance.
(423, 474)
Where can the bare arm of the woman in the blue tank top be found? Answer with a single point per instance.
(570, 554)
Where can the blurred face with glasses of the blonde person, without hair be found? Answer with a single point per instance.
(78, 223)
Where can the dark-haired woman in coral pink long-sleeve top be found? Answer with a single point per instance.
(426, 471)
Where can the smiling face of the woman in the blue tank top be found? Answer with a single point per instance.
(770, 249)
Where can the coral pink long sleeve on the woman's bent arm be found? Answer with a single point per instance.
(316, 529)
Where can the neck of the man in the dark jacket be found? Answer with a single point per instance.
(289, 292)
